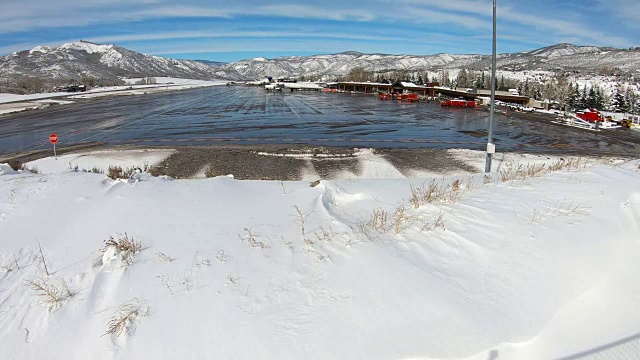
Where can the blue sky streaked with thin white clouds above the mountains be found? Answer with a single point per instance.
(233, 30)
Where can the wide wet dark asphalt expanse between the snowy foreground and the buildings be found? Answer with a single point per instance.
(241, 115)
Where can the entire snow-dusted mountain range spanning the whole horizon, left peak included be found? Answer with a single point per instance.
(74, 60)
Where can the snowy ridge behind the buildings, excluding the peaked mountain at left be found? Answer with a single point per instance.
(558, 57)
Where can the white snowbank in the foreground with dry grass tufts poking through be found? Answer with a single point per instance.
(540, 266)
